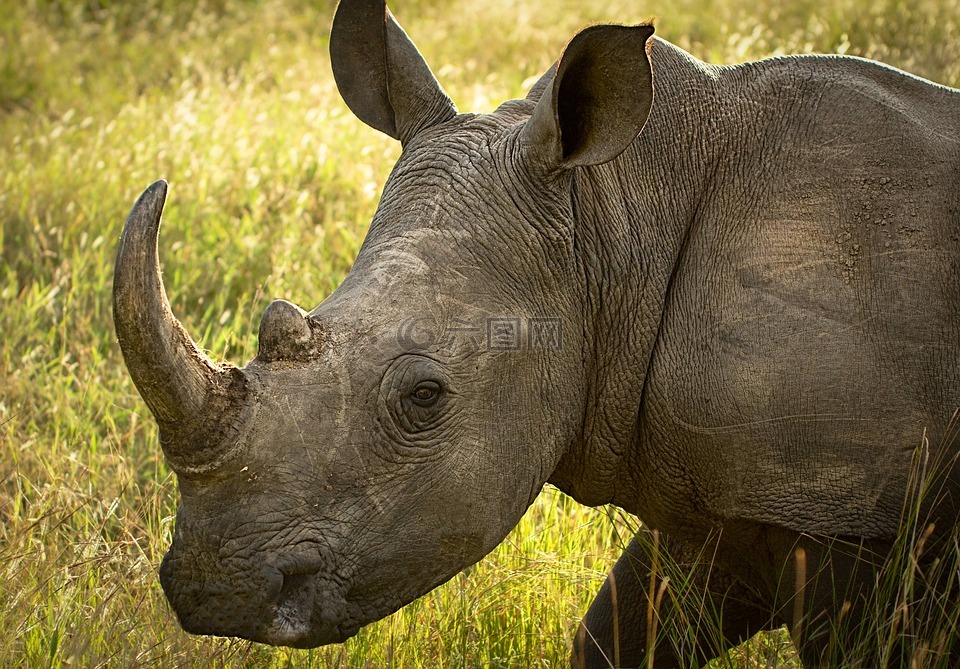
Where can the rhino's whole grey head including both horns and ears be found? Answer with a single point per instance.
(394, 435)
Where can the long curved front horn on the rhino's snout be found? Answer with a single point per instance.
(180, 385)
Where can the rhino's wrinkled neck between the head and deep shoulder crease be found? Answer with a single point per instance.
(633, 216)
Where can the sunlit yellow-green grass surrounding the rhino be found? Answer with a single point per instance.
(273, 183)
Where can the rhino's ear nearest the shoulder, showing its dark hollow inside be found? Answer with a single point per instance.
(598, 101)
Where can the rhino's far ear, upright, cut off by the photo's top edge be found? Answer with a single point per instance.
(381, 75)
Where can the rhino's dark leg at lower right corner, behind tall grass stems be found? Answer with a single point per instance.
(837, 597)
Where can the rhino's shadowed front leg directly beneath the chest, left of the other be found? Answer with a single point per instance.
(614, 632)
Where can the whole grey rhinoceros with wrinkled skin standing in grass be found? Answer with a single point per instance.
(759, 297)
